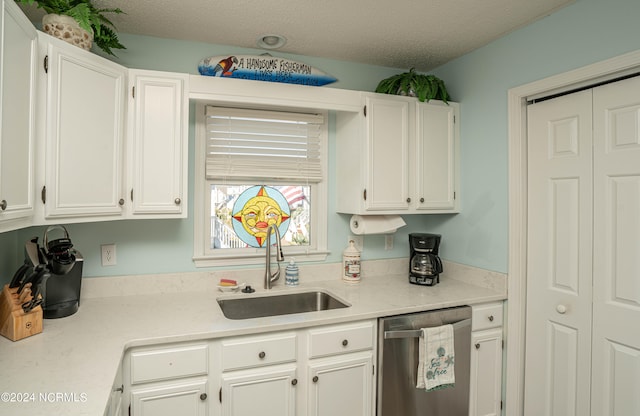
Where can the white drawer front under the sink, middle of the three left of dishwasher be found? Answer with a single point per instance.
(257, 351)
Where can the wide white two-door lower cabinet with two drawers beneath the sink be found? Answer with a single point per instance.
(324, 370)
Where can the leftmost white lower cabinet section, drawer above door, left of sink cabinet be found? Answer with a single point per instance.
(167, 380)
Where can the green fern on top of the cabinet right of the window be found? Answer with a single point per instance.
(424, 87)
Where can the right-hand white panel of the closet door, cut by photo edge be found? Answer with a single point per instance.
(616, 259)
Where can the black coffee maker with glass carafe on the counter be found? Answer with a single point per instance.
(424, 264)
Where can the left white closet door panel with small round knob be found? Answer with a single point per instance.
(559, 298)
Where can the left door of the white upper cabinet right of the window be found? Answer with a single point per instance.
(387, 141)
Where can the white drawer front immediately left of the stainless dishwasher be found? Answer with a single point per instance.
(340, 339)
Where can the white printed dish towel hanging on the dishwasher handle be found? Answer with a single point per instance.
(436, 358)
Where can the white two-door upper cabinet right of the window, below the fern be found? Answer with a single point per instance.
(398, 156)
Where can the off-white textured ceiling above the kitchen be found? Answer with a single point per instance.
(400, 34)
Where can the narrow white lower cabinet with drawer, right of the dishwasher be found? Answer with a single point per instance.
(486, 360)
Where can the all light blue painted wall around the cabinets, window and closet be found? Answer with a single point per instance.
(583, 33)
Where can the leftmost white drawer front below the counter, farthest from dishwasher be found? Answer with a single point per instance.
(168, 363)
